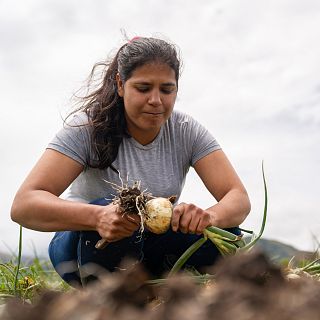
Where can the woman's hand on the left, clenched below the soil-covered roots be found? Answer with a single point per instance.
(114, 225)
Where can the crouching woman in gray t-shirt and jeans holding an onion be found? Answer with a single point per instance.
(127, 128)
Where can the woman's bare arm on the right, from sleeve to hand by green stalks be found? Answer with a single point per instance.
(223, 183)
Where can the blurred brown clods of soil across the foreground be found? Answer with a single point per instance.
(245, 287)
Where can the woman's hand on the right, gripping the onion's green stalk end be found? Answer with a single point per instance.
(188, 218)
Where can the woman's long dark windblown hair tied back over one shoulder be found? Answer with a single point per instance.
(104, 106)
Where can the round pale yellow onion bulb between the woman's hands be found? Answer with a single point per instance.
(158, 215)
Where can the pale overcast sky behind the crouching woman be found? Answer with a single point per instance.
(251, 76)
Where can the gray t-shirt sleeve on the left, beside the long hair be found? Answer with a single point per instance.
(73, 140)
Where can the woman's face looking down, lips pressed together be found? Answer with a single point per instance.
(149, 96)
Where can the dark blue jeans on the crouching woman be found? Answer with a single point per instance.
(157, 253)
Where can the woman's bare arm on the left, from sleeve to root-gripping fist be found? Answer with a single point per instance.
(37, 204)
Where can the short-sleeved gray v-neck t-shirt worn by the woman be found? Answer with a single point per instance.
(161, 166)
